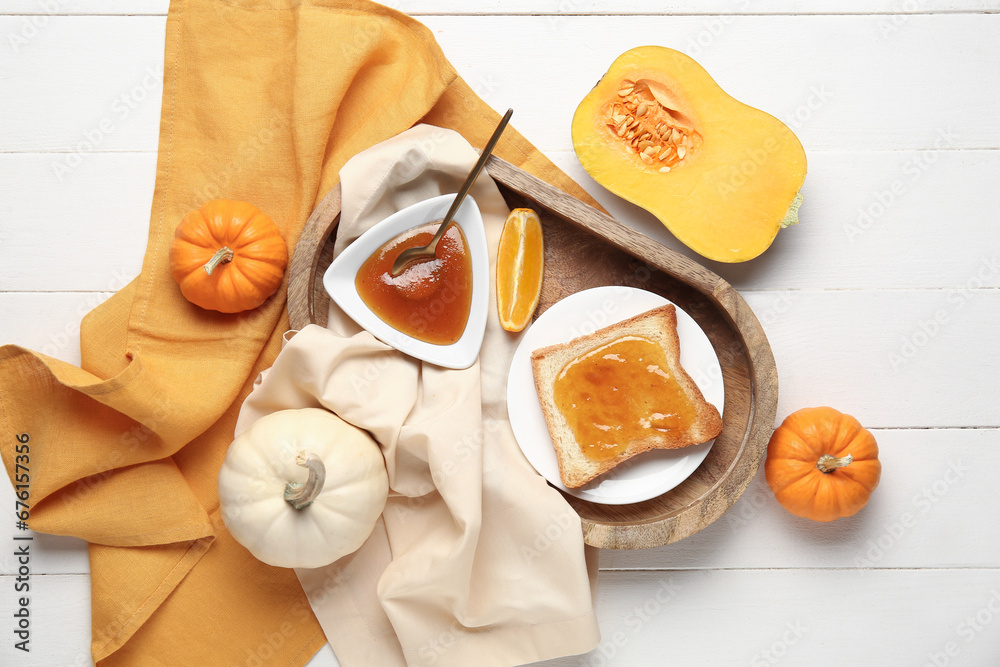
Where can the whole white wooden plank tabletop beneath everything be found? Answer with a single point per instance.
(883, 302)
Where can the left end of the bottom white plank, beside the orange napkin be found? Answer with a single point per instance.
(59, 618)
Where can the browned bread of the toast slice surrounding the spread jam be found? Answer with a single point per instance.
(658, 325)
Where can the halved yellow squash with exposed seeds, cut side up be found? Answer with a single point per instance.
(722, 176)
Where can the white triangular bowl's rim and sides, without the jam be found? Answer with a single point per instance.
(339, 281)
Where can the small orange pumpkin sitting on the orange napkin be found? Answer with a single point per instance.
(228, 256)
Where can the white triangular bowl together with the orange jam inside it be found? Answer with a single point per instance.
(435, 310)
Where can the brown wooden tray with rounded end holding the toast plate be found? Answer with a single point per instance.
(585, 248)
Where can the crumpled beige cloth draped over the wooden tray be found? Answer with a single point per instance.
(476, 559)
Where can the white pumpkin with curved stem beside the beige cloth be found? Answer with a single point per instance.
(302, 488)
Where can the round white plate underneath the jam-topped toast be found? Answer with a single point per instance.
(644, 476)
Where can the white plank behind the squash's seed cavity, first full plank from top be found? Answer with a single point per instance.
(815, 72)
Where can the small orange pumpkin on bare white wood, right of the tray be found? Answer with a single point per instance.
(822, 464)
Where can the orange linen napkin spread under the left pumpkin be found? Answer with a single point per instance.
(263, 101)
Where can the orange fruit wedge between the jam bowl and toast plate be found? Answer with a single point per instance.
(520, 264)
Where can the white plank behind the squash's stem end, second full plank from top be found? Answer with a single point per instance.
(848, 238)
